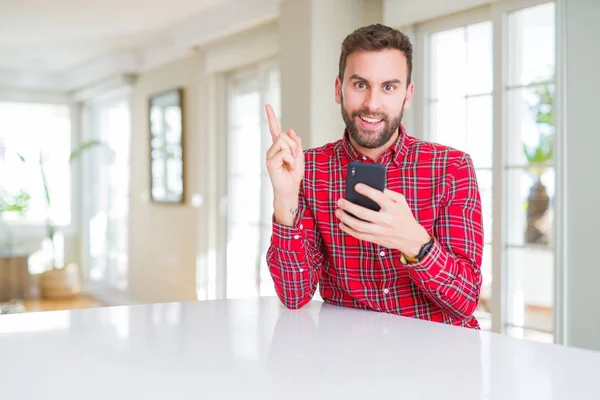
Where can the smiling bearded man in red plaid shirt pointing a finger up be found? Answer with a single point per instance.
(420, 255)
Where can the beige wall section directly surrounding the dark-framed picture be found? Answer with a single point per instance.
(163, 237)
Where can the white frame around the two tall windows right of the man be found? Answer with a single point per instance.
(497, 13)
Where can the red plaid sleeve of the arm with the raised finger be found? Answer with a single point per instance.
(295, 258)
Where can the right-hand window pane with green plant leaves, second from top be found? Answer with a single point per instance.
(530, 125)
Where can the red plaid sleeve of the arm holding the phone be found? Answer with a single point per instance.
(450, 273)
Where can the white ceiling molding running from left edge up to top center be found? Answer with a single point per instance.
(160, 48)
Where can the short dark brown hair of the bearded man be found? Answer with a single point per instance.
(376, 37)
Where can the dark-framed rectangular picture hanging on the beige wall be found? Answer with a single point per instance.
(166, 146)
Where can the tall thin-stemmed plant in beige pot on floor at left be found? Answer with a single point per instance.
(59, 281)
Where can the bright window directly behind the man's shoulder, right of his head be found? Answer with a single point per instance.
(460, 106)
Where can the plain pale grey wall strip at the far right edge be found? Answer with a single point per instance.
(580, 19)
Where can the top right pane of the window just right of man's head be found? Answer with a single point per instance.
(479, 58)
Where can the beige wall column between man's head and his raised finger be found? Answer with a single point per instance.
(311, 35)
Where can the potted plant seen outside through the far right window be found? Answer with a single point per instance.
(538, 156)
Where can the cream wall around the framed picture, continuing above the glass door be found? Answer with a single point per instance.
(173, 247)
